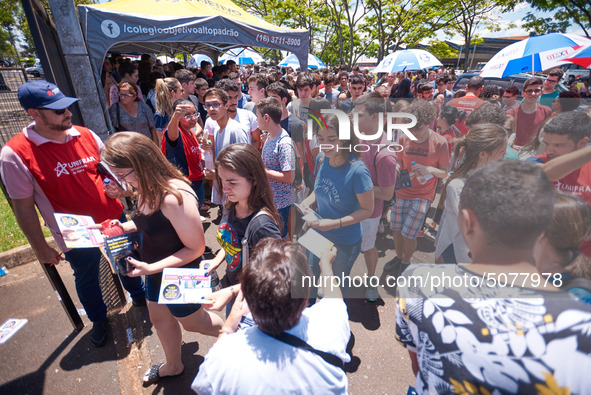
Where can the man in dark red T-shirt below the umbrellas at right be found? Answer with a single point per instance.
(530, 114)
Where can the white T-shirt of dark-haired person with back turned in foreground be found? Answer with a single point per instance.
(252, 362)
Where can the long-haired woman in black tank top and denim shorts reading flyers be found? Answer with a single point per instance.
(168, 217)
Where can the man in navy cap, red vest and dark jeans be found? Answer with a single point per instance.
(53, 165)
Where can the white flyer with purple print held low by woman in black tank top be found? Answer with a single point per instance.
(184, 285)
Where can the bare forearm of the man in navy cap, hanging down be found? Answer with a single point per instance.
(26, 216)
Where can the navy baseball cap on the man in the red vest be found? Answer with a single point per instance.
(40, 93)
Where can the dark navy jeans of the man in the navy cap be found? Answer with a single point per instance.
(85, 262)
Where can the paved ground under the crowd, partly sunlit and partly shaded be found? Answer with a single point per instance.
(48, 357)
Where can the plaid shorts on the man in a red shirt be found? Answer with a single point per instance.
(408, 216)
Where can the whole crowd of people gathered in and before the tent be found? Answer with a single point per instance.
(502, 185)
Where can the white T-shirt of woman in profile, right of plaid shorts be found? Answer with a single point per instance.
(449, 232)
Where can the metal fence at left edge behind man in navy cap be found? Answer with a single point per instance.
(12, 116)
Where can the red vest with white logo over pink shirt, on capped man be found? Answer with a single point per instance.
(62, 177)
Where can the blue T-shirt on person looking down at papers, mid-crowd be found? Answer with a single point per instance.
(336, 190)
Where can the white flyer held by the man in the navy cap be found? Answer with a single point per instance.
(74, 231)
